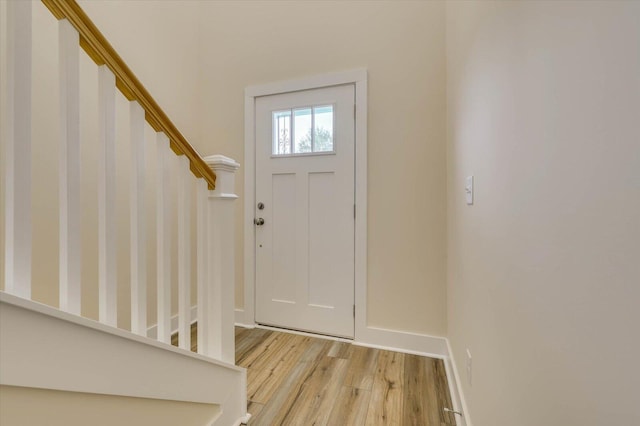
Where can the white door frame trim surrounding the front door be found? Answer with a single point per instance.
(359, 79)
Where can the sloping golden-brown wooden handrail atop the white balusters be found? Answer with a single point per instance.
(102, 53)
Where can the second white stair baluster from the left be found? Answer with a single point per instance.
(70, 266)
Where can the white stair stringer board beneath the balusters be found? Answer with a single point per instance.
(42, 347)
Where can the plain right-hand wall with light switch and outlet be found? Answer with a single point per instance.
(544, 109)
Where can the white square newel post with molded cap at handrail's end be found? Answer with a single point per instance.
(221, 259)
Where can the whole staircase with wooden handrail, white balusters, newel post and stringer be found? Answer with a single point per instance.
(173, 243)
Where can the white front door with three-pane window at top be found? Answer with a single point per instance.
(304, 210)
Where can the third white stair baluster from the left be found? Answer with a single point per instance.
(107, 273)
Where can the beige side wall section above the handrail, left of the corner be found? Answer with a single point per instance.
(159, 41)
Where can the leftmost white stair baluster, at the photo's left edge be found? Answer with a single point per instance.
(17, 151)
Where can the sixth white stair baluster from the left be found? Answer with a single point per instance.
(184, 253)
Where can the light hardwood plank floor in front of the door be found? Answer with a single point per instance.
(301, 380)
